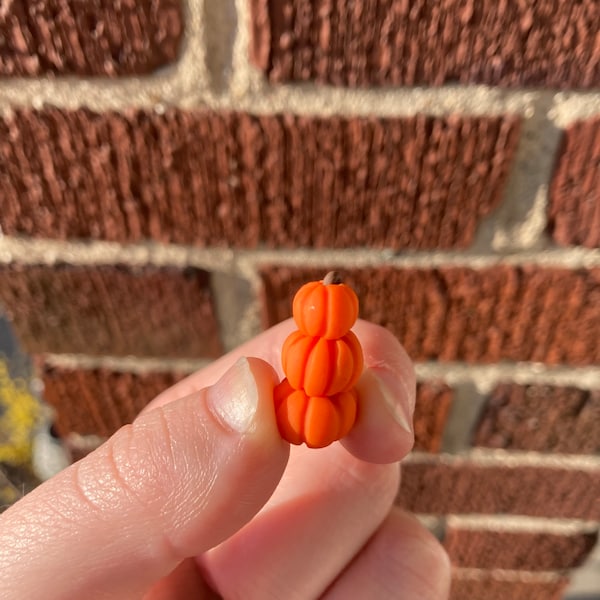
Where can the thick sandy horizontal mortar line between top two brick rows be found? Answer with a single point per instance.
(187, 88)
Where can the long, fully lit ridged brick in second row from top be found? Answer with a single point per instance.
(244, 181)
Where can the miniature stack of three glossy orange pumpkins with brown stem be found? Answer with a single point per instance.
(316, 403)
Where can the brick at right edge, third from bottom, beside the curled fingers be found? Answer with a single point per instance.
(439, 488)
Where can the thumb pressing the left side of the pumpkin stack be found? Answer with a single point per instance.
(178, 481)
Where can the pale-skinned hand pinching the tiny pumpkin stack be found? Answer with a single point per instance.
(200, 498)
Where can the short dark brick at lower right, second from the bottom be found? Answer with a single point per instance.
(527, 551)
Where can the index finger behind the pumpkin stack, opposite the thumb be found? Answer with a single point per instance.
(383, 431)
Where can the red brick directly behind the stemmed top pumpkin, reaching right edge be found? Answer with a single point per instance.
(459, 314)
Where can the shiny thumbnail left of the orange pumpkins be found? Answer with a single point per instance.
(234, 398)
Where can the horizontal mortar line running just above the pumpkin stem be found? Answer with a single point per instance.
(247, 262)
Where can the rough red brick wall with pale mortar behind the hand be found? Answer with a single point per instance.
(171, 171)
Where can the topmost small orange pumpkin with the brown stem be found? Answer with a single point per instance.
(326, 308)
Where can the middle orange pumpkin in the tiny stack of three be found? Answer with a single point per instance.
(319, 366)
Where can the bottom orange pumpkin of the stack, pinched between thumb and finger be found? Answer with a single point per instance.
(316, 421)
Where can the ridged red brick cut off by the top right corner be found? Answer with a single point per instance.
(396, 42)
